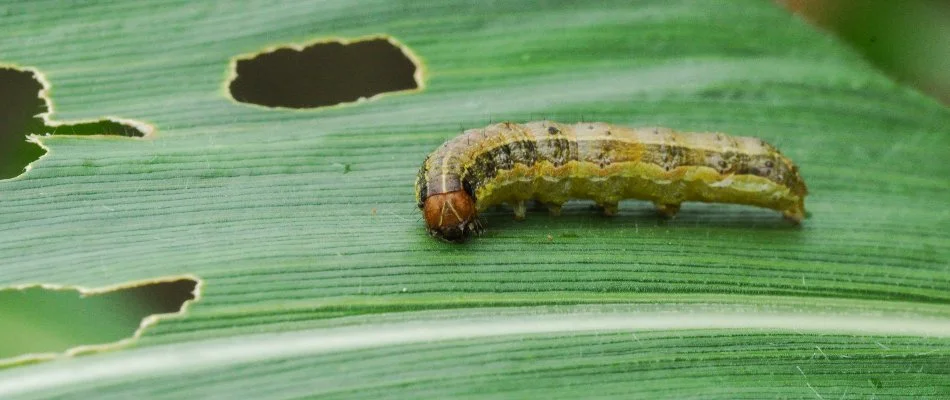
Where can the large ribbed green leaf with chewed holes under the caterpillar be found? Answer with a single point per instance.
(319, 279)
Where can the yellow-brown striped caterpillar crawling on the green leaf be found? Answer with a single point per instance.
(551, 163)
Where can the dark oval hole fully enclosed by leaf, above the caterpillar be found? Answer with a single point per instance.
(324, 74)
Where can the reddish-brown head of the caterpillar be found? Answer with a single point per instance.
(450, 216)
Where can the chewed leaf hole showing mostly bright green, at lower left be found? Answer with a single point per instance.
(38, 320)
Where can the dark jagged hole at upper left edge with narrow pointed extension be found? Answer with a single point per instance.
(20, 110)
